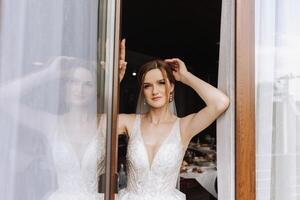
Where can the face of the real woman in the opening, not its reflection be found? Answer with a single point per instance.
(156, 89)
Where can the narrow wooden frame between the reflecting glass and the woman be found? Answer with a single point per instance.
(111, 179)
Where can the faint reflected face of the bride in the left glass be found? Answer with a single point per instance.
(80, 88)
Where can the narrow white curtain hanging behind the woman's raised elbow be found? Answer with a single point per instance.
(226, 123)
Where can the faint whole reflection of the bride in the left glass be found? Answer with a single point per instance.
(75, 133)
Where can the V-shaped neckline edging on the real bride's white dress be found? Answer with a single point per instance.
(150, 164)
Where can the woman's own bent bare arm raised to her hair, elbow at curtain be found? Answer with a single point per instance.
(215, 100)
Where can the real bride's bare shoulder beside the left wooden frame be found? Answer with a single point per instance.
(125, 123)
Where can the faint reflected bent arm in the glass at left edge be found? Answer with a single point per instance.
(10, 93)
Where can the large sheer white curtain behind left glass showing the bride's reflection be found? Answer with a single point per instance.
(47, 48)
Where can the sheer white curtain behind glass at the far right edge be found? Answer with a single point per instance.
(277, 99)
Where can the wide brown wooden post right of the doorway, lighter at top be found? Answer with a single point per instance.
(245, 186)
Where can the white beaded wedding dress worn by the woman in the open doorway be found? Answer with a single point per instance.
(156, 181)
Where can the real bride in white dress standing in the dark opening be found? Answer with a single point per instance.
(158, 138)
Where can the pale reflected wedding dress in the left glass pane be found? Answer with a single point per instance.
(77, 179)
